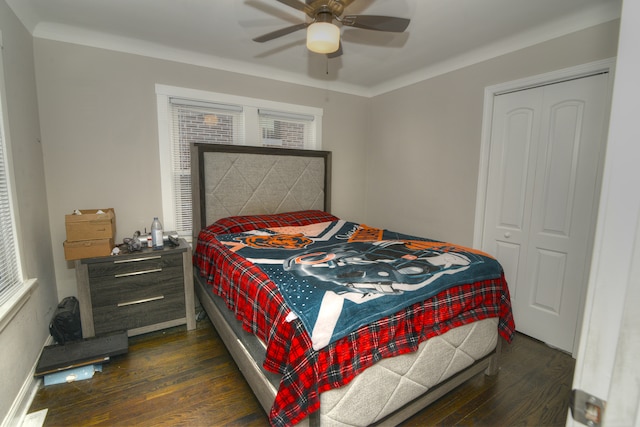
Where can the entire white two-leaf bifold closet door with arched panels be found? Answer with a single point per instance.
(541, 198)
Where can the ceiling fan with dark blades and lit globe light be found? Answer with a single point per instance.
(323, 36)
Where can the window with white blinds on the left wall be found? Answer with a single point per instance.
(10, 271)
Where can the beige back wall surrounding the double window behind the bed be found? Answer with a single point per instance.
(100, 134)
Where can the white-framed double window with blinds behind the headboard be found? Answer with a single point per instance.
(188, 116)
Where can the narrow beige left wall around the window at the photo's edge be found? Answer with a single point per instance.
(22, 338)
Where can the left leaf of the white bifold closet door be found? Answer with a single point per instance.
(512, 163)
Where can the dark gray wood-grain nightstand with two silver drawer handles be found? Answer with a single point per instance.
(139, 292)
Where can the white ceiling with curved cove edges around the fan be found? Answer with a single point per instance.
(443, 35)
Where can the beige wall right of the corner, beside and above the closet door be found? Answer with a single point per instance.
(423, 156)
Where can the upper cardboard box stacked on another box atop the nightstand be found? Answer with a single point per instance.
(91, 225)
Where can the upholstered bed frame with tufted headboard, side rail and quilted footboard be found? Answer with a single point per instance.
(232, 180)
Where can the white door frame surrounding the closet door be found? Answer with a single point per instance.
(603, 66)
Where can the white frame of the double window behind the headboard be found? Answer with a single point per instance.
(253, 136)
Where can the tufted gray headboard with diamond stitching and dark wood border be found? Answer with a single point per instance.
(230, 180)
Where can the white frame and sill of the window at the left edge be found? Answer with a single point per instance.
(13, 297)
